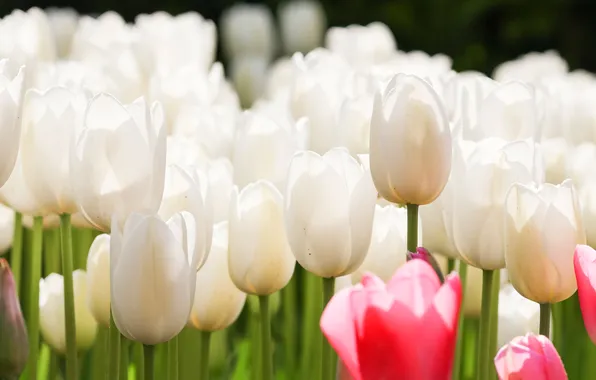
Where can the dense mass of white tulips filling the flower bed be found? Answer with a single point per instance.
(135, 131)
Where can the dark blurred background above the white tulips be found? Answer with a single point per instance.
(477, 34)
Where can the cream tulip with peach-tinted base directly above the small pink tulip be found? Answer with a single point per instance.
(542, 227)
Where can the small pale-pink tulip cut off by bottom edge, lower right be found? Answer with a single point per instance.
(530, 357)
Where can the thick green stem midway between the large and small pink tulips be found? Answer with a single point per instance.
(485, 333)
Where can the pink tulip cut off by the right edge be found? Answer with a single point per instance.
(584, 262)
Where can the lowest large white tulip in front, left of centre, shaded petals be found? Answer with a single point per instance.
(153, 275)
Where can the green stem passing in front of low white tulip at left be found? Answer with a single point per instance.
(70, 323)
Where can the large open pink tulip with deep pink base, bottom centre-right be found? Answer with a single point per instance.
(405, 329)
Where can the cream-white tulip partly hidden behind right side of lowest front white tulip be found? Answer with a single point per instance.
(218, 302)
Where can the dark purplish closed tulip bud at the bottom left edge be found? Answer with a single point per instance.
(14, 346)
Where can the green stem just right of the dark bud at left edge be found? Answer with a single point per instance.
(35, 275)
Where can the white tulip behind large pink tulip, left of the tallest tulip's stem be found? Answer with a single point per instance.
(387, 250)
